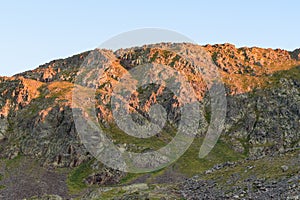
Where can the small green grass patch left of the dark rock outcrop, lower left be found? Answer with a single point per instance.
(75, 180)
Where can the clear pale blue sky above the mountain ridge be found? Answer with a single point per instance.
(34, 32)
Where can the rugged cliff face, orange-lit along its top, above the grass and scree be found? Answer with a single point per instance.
(262, 87)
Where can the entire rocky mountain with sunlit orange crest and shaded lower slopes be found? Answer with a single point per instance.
(257, 155)
